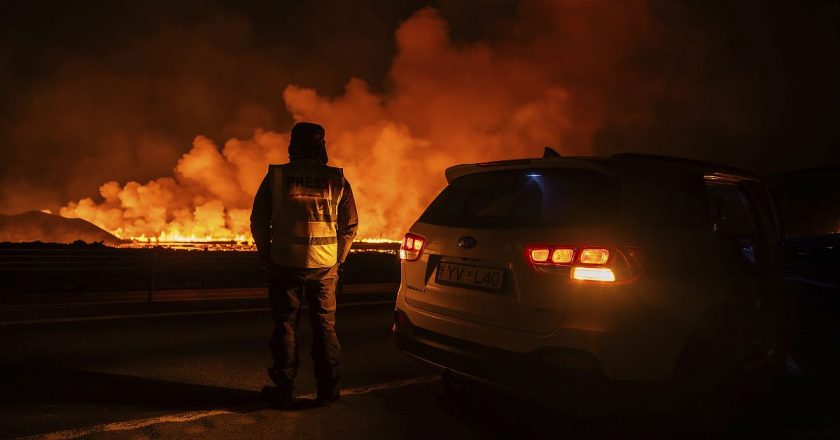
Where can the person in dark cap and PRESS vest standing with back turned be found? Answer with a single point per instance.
(303, 223)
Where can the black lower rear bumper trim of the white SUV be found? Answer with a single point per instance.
(545, 371)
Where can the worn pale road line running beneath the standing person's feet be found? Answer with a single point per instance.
(132, 425)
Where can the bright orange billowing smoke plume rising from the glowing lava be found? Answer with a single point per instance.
(448, 103)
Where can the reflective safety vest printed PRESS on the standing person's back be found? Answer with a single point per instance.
(305, 213)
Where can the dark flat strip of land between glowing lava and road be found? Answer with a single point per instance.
(45, 270)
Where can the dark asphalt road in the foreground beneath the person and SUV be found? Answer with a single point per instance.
(198, 376)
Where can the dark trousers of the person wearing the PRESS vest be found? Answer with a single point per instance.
(286, 287)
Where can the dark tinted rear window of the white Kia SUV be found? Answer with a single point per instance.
(526, 198)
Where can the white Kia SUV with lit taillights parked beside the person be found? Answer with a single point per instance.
(526, 273)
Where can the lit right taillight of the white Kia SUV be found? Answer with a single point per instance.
(588, 263)
